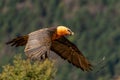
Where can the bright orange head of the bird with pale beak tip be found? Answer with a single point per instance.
(64, 31)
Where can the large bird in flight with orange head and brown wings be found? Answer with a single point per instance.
(38, 45)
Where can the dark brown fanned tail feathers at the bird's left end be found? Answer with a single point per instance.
(18, 41)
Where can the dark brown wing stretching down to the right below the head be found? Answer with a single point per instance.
(70, 52)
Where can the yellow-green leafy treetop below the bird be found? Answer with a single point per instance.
(27, 70)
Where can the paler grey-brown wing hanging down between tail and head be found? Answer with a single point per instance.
(38, 44)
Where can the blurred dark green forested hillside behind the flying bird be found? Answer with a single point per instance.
(96, 24)
